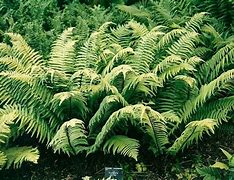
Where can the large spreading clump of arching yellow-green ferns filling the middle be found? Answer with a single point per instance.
(126, 86)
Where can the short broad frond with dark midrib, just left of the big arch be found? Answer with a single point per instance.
(71, 137)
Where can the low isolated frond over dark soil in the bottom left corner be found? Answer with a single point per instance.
(17, 155)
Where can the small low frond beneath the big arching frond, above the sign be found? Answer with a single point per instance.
(122, 145)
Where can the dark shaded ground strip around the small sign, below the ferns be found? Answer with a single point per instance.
(51, 166)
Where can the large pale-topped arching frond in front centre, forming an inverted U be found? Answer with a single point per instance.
(150, 121)
